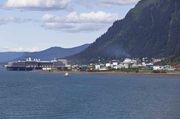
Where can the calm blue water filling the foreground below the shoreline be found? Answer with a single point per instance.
(35, 95)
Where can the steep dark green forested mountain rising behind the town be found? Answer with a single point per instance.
(150, 29)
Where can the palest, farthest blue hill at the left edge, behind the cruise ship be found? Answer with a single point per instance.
(8, 56)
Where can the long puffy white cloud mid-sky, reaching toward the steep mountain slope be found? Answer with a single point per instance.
(75, 22)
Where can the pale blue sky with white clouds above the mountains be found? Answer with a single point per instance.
(34, 25)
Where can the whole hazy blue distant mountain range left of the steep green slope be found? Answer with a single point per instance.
(48, 54)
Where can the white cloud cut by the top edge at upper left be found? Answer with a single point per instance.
(37, 4)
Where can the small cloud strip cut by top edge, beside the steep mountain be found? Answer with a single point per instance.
(118, 2)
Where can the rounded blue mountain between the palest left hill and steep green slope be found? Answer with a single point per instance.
(55, 52)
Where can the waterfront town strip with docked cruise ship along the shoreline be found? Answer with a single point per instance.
(127, 64)
